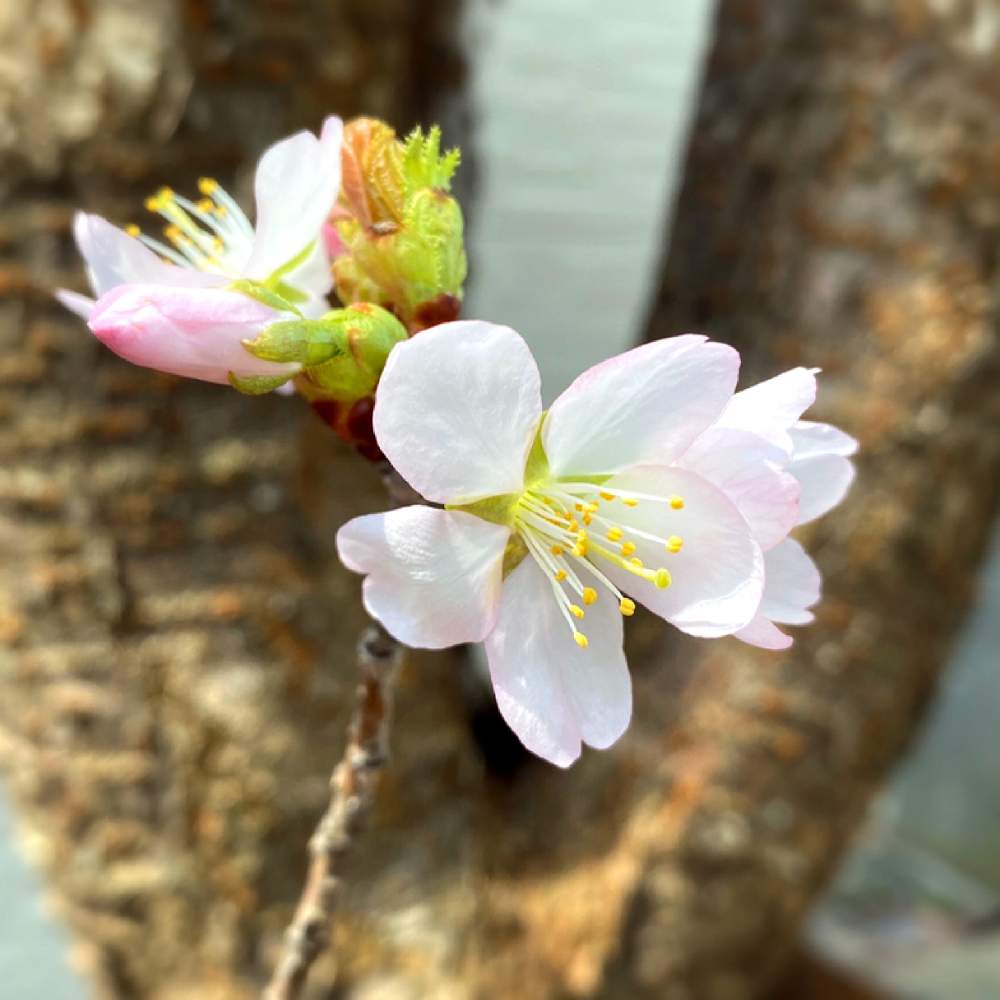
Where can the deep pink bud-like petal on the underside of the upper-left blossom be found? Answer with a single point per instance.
(194, 332)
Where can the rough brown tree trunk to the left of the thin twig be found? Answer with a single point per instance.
(176, 643)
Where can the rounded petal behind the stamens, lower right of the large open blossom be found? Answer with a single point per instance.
(718, 575)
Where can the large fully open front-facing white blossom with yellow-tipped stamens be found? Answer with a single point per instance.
(555, 524)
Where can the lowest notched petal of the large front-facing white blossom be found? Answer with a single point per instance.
(553, 694)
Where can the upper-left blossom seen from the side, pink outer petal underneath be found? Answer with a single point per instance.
(173, 305)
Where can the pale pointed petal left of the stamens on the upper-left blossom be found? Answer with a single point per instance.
(114, 258)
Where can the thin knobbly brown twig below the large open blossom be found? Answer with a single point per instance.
(352, 791)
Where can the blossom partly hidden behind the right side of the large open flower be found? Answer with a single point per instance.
(759, 451)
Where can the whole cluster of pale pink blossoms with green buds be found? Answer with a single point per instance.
(649, 481)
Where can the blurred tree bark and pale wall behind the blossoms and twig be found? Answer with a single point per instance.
(816, 184)
